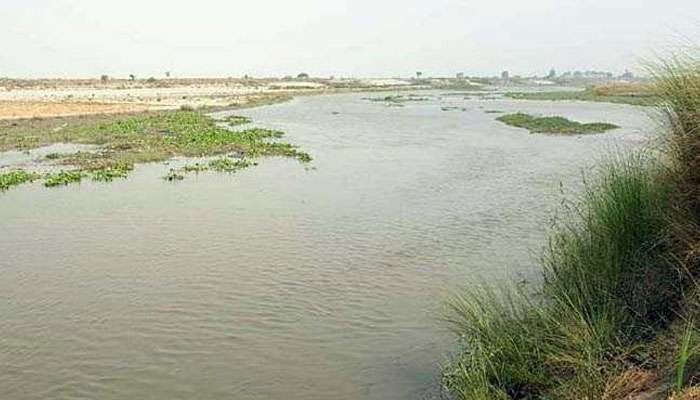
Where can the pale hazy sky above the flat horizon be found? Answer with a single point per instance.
(333, 37)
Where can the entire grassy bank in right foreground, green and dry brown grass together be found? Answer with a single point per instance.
(615, 314)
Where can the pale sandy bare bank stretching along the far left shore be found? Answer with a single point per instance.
(21, 99)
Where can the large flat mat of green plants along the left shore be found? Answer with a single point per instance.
(128, 140)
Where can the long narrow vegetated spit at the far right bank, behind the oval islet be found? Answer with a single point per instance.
(638, 95)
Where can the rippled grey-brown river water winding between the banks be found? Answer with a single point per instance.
(286, 282)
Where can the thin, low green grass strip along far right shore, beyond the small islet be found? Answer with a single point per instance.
(637, 99)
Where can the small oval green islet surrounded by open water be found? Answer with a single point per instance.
(557, 125)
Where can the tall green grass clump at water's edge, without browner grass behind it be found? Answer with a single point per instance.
(606, 279)
